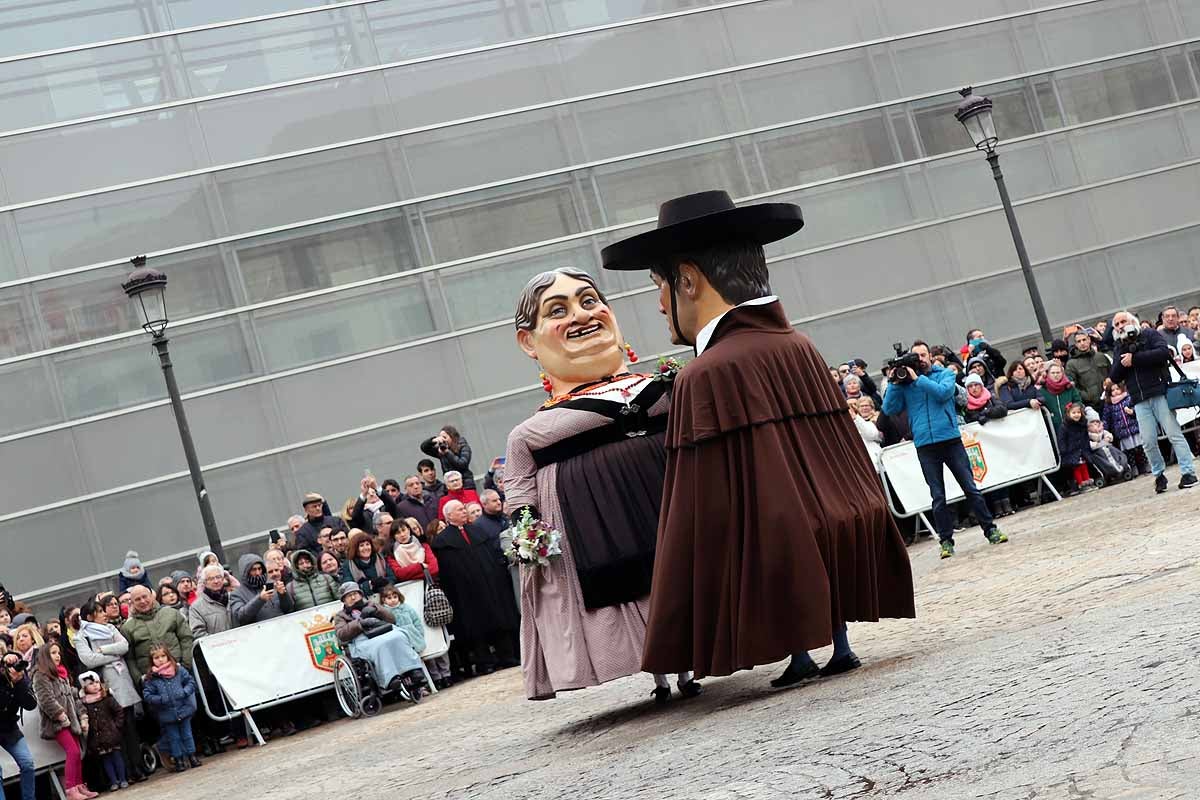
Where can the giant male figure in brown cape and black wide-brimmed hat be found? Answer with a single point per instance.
(775, 532)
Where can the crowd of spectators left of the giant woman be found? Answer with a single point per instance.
(118, 671)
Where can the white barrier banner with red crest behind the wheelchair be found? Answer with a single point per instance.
(295, 654)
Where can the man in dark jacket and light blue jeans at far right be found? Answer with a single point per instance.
(1143, 362)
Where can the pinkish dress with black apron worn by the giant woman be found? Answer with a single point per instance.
(609, 448)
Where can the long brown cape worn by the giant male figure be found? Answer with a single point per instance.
(773, 522)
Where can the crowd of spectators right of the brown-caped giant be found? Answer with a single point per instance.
(1103, 387)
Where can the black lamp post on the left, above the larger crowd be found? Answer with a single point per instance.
(148, 290)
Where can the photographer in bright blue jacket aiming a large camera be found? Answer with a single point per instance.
(926, 390)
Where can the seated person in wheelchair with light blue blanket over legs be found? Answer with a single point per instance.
(369, 633)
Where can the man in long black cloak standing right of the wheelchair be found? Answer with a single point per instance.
(475, 575)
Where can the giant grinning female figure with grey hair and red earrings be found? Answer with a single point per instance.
(591, 464)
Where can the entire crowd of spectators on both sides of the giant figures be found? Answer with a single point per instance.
(118, 670)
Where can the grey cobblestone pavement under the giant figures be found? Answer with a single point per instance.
(1060, 665)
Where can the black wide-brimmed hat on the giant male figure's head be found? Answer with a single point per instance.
(700, 220)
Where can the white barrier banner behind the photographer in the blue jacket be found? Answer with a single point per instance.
(1004, 452)
